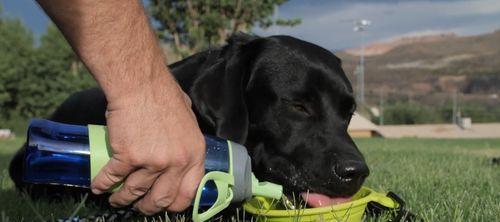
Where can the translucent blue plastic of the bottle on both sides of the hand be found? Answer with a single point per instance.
(59, 154)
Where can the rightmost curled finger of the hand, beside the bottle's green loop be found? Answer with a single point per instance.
(187, 189)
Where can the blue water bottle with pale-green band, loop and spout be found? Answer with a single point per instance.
(72, 155)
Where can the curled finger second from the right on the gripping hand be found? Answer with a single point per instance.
(161, 194)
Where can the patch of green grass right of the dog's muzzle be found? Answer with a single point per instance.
(441, 180)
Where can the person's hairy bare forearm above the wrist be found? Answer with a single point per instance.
(114, 40)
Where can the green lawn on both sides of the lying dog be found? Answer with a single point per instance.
(441, 180)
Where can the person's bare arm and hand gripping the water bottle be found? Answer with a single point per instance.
(158, 149)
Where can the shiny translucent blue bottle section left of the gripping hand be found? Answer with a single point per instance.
(57, 154)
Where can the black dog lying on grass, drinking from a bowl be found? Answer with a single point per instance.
(287, 100)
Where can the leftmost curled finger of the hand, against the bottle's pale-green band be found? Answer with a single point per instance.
(112, 173)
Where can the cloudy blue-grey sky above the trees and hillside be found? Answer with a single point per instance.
(329, 23)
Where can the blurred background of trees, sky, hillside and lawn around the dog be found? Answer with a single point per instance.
(425, 73)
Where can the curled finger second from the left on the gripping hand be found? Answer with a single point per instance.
(134, 187)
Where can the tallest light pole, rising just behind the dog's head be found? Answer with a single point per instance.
(360, 26)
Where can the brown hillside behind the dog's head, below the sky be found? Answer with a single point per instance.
(430, 69)
